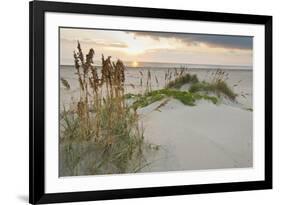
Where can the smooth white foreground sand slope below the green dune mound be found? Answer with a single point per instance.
(205, 136)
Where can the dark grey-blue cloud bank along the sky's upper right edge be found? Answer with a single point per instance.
(214, 41)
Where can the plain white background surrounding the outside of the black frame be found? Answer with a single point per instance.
(14, 100)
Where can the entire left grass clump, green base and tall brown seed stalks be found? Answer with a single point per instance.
(101, 134)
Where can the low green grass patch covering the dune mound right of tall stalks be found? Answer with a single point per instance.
(211, 91)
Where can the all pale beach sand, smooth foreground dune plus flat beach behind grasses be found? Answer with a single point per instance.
(205, 136)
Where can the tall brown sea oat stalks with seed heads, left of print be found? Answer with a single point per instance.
(97, 91)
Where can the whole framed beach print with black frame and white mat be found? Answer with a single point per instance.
(140, 102)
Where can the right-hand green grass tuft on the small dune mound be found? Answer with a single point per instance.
(220, 88)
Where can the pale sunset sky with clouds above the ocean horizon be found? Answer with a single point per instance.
(137, 46)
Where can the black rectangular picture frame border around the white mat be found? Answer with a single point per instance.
(37, 194)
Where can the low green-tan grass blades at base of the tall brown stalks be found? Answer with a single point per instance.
(121, 153)
